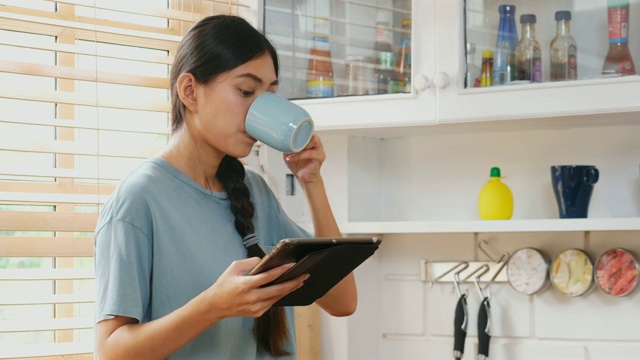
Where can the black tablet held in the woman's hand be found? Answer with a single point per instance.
(327, 260)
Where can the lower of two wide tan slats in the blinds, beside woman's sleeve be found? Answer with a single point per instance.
(46, 246)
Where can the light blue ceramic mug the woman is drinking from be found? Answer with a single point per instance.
(279, 123)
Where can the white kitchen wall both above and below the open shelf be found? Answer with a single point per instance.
(437, 176)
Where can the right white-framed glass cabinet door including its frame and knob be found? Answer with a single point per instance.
(583, 89)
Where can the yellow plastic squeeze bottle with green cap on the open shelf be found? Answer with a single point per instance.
(496, 200)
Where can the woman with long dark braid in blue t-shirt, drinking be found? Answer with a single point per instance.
(169, 243)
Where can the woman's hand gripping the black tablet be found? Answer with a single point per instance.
(236, 294)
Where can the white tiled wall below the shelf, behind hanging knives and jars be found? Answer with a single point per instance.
(401, 317)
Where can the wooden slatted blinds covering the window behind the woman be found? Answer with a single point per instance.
(83, 100)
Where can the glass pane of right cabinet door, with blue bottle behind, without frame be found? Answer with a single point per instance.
(546, 41)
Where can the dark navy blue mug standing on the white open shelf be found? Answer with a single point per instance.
(573, 186)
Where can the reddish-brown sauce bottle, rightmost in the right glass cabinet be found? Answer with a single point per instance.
(618, 60)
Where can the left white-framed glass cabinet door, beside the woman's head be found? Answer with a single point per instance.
(371, 84)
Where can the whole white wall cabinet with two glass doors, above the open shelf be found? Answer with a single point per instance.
(440, 31)
